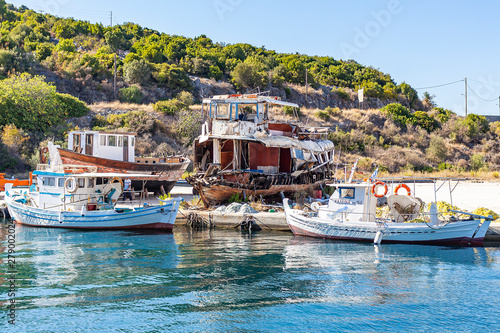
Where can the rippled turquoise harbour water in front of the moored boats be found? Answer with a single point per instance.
(227, 281)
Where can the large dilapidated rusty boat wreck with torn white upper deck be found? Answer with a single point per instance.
(242, 152)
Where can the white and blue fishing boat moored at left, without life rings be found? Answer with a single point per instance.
(75, 197)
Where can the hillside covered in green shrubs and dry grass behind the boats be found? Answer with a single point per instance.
(160, 78)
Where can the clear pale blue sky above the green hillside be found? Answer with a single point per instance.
(431, 45)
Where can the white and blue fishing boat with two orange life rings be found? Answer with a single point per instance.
(350, 214)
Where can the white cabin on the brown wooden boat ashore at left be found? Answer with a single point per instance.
(119, 146)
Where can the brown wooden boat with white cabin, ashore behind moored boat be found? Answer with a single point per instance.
(115, 152)
